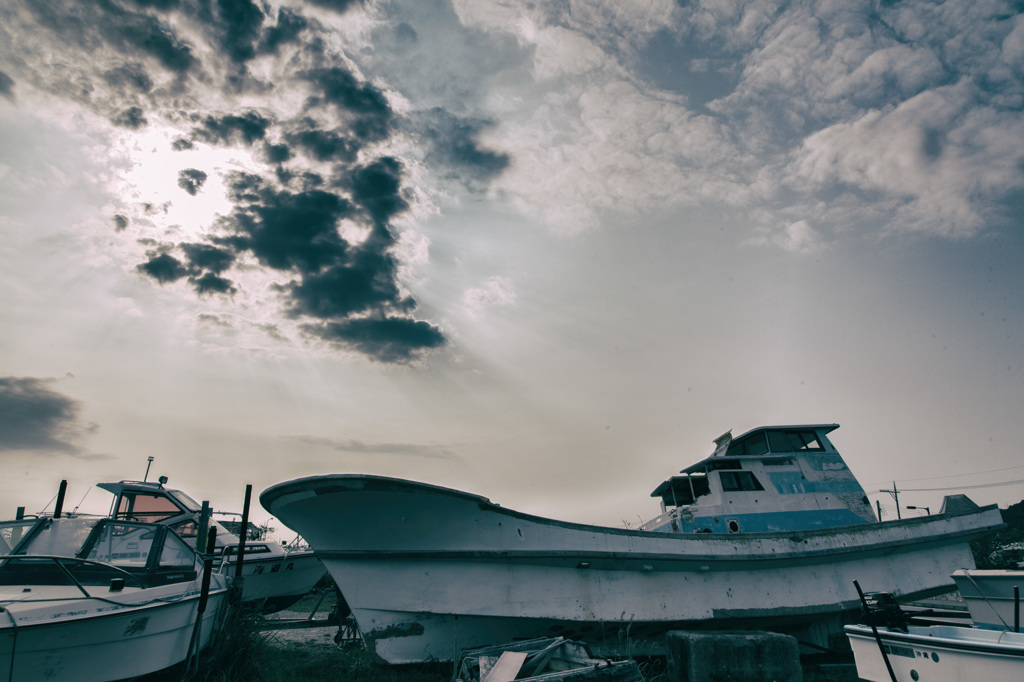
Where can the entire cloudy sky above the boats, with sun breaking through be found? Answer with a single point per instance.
(545, 251)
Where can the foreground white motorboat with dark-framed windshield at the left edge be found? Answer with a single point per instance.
(95, 600)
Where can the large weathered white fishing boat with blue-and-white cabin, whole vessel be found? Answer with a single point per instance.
(767, 533)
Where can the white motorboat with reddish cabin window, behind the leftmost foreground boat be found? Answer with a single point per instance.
(275, 578)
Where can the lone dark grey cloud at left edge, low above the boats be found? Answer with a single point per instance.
(35, 417)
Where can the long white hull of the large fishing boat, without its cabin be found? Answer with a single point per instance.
(430, 571)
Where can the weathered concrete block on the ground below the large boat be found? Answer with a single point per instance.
(726, 656)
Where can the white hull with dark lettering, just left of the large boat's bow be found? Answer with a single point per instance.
(274, 583)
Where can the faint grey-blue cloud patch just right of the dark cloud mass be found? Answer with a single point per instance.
(454, 147)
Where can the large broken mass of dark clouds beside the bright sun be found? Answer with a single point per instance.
(315, 176)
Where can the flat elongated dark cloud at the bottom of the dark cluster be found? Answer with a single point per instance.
(394, 340)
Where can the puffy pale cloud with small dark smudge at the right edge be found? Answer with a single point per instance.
(944, 159)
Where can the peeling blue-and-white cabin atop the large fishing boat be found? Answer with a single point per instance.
(769, 480)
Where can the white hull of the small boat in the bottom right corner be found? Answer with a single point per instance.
(940, 654)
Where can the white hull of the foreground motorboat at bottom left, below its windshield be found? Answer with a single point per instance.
(76, 640)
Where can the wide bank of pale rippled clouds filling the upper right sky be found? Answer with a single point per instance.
(604, 134)
